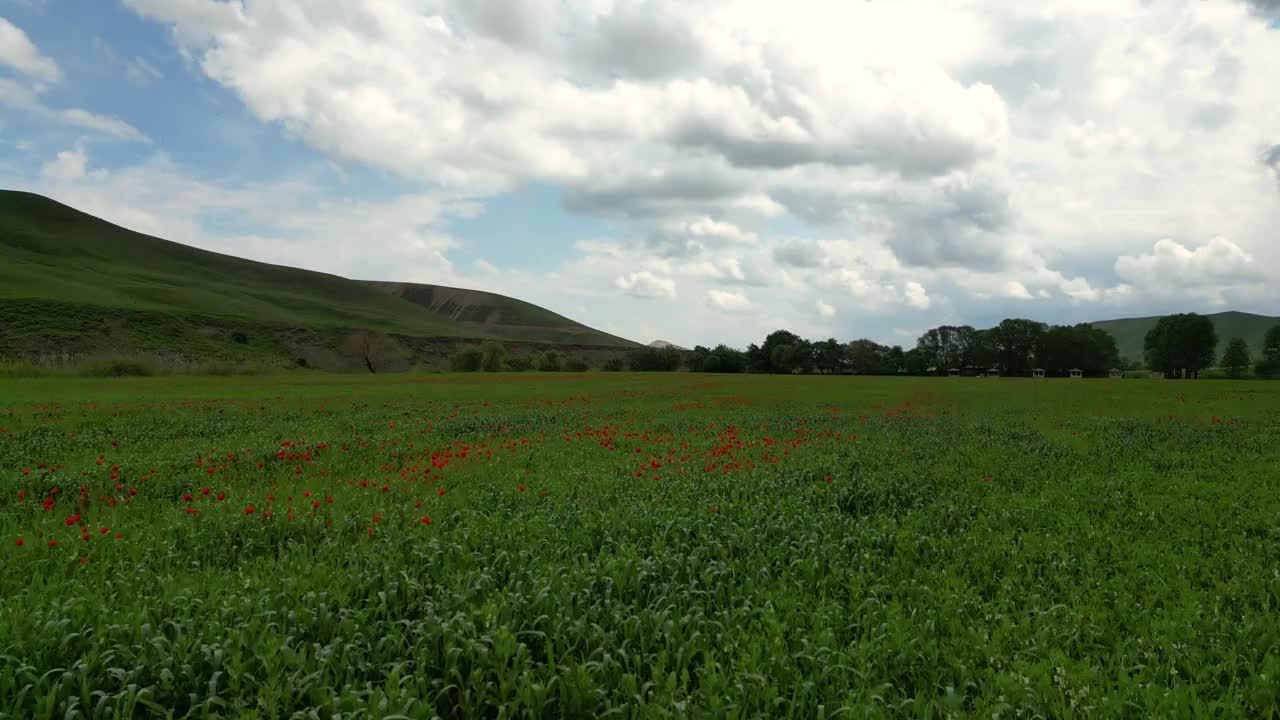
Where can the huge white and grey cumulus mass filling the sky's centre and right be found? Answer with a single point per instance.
(998, 158)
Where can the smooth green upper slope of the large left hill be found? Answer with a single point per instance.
(54, 253)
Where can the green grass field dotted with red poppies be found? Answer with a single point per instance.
(639, 546)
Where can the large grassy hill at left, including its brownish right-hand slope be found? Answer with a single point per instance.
(76, 284)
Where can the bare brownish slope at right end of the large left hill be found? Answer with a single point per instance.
(499, 316)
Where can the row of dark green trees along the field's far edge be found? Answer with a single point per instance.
(1178, 347)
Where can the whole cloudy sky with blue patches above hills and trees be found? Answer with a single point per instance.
(693, 171)
